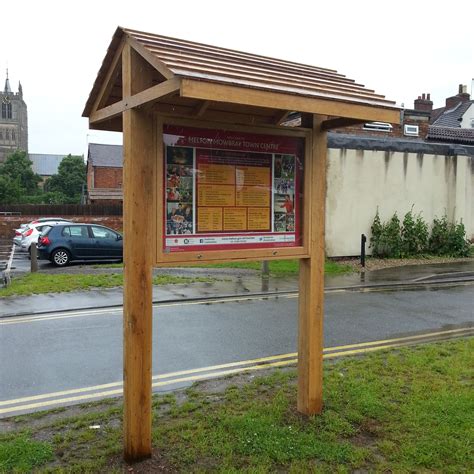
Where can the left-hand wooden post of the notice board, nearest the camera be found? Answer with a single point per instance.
(139, 192)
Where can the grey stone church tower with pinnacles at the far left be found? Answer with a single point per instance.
(13, 121)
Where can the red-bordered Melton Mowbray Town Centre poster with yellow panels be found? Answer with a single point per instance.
(226, 189)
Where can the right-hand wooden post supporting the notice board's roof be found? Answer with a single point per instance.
(311, 285)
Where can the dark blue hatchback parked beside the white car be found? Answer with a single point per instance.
(63, 243)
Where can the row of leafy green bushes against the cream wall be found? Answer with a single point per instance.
(412, 238)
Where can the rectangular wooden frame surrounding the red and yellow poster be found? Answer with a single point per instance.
(164, 259)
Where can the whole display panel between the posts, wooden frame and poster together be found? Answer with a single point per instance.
(229, 193)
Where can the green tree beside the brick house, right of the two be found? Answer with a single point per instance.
(70, 179)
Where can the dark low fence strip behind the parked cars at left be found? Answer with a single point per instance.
(61, 209)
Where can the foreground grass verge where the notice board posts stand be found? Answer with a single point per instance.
(408, 410)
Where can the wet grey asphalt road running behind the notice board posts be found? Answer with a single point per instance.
(70, 351)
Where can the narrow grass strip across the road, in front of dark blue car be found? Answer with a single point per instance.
(38, 283)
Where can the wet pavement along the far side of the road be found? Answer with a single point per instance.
(231, 282)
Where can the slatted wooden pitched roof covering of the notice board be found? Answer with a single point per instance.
(189, 60)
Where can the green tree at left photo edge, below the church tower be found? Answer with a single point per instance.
(18, 178)
